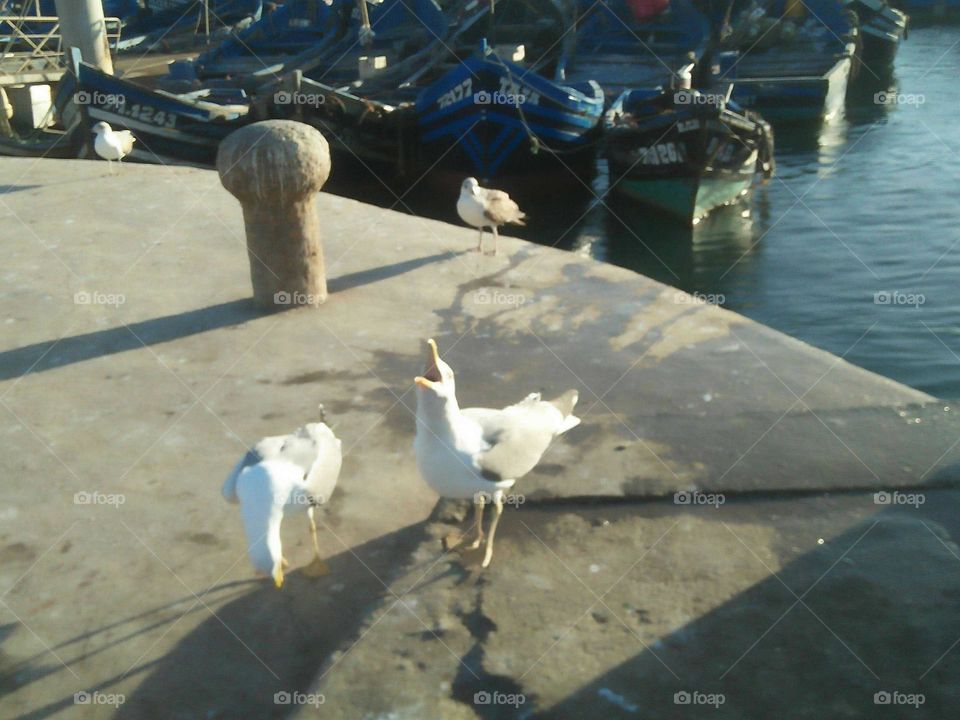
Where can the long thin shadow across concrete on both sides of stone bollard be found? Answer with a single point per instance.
(53, 354)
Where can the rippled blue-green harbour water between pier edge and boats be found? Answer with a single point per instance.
(862, 210)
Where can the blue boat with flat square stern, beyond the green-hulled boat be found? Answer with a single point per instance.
(789, 60)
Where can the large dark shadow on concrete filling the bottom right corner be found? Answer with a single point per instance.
(878, 615)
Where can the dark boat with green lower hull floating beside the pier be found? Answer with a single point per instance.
(684, 153)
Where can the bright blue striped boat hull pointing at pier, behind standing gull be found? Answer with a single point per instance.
(489, 116)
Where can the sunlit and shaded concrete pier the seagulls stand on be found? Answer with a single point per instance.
(135, 370)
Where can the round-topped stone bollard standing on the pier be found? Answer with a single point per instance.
(275, 168)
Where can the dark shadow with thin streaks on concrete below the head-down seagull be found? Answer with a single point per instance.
(259, 642)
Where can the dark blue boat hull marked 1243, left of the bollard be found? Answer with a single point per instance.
(168, 129)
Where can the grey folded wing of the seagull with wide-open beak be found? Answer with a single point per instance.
(517, 436)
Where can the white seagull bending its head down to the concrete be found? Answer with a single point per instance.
(282, 475)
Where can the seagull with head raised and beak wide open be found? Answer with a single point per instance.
(479, 453)
